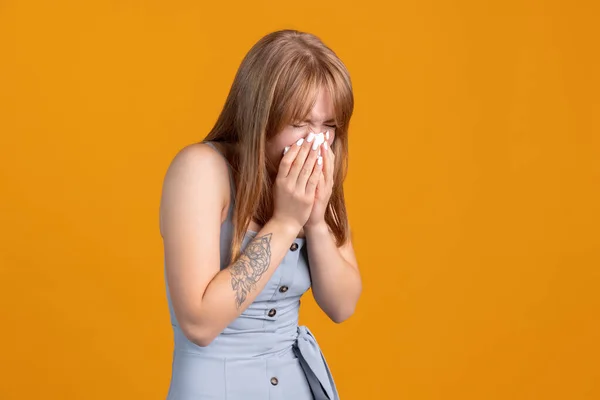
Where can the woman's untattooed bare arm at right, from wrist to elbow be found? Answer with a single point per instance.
(336, 281)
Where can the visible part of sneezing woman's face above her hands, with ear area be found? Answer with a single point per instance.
(320, 119)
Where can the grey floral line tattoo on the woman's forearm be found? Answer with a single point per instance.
(250, 266)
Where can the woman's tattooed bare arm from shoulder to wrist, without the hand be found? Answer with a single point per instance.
(206, 299)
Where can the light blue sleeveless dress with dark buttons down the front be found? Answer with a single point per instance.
(263, 354)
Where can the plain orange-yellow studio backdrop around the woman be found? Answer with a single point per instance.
(473, 191)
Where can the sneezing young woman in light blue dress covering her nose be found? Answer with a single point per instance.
(254, 216)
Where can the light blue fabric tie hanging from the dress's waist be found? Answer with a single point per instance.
(312, 355)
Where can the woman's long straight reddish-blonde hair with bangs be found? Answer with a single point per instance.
(277, 83)
